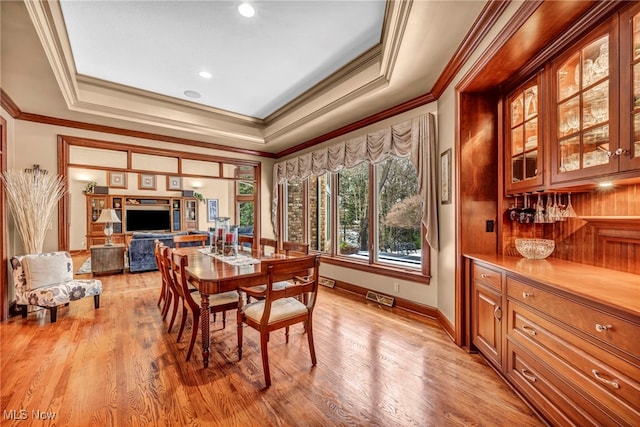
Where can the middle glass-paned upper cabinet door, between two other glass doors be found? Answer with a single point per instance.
(583, 126)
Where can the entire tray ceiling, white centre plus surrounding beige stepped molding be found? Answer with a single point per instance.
(45, 72)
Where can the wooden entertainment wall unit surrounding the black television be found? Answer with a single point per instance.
(183, 213)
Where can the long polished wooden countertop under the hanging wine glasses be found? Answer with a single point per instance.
(615, 289)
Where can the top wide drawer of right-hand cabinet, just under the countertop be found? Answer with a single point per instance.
(602, 326)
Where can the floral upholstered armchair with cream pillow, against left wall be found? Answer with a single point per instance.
(46, 280)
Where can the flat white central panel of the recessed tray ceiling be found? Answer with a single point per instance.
(258, 64)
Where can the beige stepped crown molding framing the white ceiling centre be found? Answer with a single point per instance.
(94, 96)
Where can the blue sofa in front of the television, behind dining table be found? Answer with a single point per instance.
(141, 255)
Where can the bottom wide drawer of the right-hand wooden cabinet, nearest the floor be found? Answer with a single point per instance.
(536, 383)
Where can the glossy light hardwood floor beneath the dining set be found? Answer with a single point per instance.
(117, 366)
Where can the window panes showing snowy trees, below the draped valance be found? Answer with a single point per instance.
(388, 191)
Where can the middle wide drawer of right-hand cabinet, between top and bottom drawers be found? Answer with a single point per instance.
(614, 392)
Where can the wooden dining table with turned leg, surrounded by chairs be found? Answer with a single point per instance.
(211, 275)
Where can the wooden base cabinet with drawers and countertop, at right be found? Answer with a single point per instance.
(570, 339)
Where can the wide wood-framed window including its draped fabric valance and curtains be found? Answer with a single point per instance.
(362, 202)
